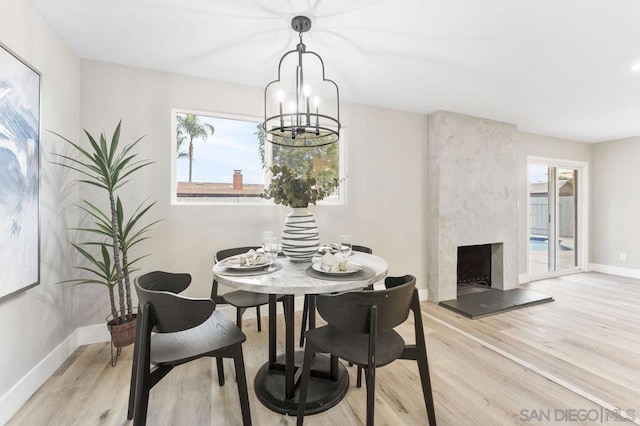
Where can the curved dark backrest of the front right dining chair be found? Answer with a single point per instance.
(352, 311)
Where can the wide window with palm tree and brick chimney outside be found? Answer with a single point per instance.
(221, 159)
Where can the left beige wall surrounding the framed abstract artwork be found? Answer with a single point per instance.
(34, 322)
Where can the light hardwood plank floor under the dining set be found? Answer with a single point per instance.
(580, 352)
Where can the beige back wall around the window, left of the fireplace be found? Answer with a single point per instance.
(384, 196)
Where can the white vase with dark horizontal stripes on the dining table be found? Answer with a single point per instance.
(300, 238)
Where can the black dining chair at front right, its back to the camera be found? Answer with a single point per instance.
(360, 330)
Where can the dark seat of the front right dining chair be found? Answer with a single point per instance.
(354, 347)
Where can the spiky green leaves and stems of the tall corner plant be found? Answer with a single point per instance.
(109, 166)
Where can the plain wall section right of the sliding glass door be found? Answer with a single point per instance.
(615, 203)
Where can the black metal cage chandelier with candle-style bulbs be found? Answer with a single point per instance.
(301, 107)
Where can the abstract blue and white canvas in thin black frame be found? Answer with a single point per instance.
(19, 174)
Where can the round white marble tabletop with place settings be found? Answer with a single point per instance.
(292, 278)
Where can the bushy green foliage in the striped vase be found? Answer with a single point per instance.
(294, 190)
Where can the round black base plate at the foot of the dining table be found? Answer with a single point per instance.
(323, 393)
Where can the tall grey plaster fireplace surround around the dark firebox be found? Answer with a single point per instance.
(471, 199)
